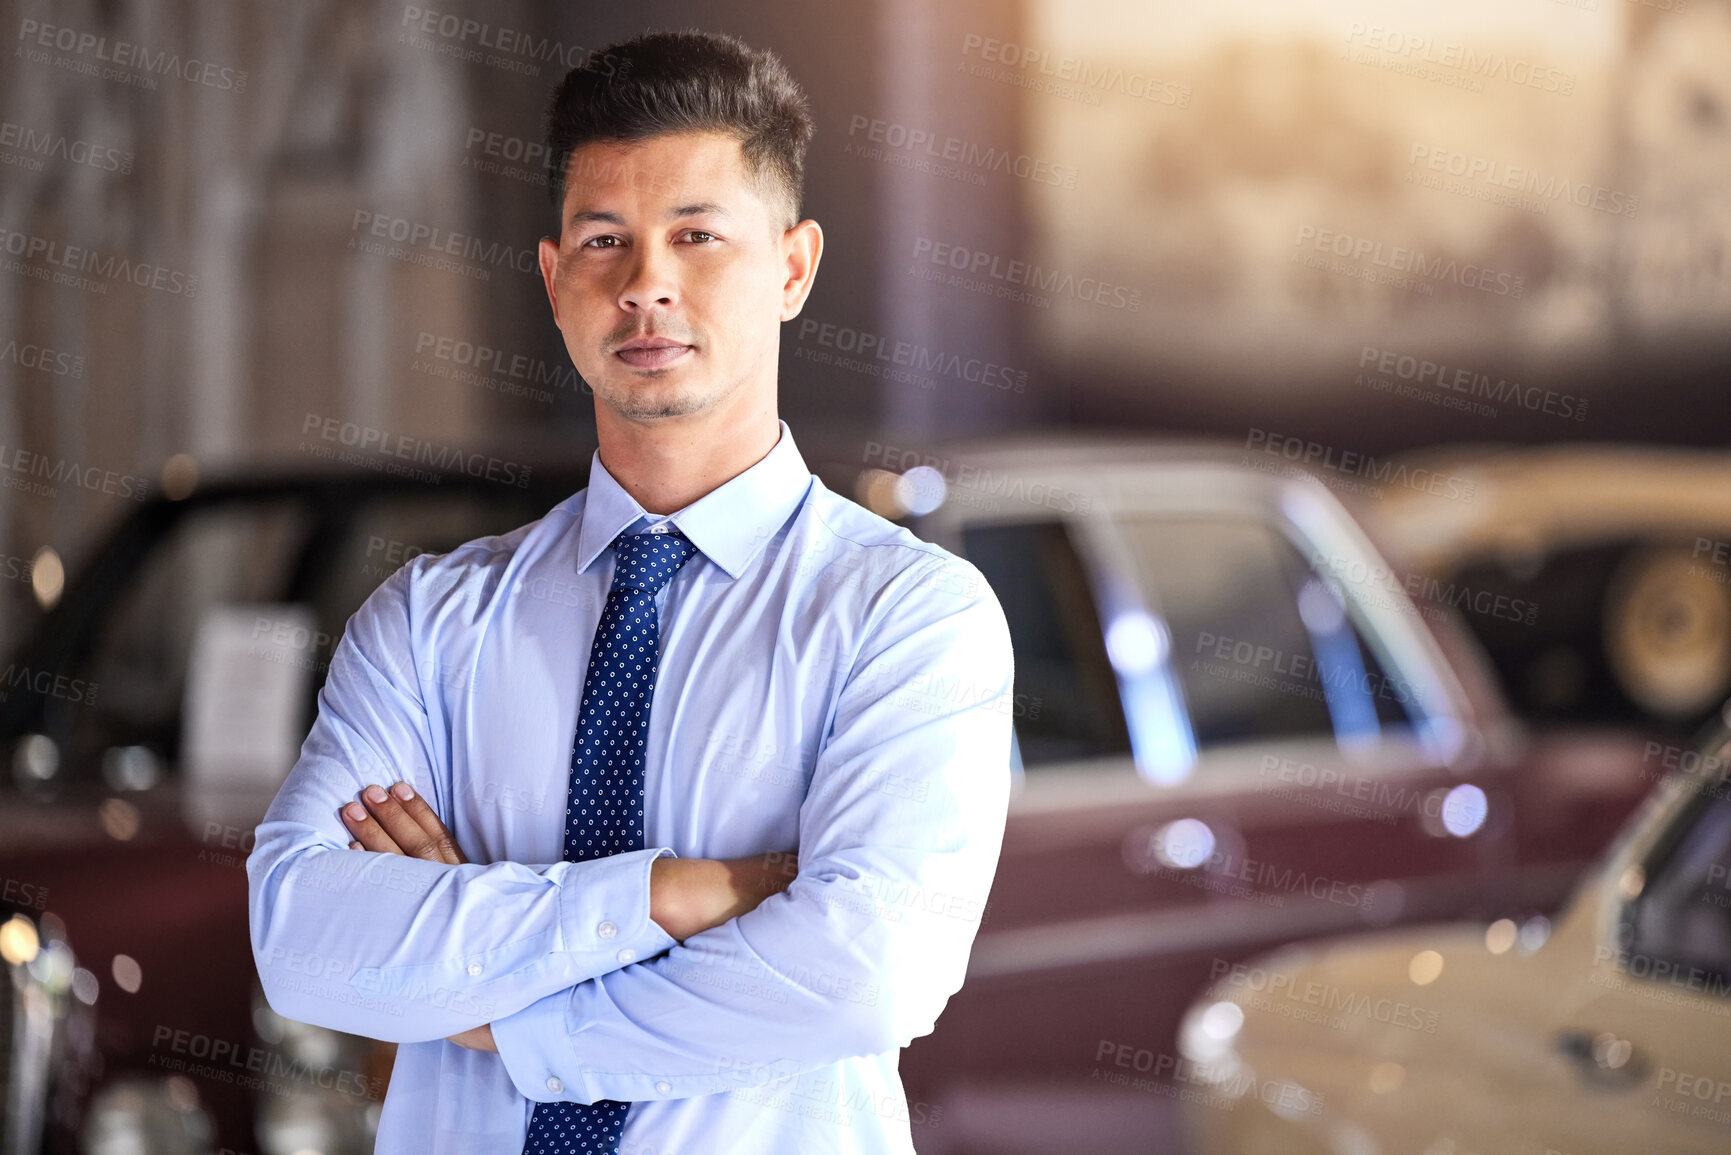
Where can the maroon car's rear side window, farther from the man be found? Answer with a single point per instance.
(1264, 648)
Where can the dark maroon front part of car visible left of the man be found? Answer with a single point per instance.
(148, 721)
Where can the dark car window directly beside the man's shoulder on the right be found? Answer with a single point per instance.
(1067, 694)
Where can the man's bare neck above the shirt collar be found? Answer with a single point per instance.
(669, 463)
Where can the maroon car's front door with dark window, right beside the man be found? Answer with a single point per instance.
(1078, 903)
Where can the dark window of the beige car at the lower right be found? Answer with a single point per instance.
(1683, 917)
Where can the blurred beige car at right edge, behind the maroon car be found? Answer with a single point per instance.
(1599, 577)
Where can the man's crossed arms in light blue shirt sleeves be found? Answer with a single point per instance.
(570, 965)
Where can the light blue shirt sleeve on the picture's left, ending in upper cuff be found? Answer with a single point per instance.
(404, 950)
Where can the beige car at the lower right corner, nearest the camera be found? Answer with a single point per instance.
(1606, 1036)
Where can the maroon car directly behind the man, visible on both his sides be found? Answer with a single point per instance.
(1226, 742)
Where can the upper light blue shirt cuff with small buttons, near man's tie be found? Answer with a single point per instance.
(605, 912)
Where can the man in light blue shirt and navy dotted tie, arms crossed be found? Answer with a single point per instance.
(605, 733)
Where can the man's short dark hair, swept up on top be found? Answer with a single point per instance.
(686, 82)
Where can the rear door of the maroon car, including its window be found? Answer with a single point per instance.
(1330, 737)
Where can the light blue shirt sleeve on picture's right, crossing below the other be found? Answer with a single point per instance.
(899, 841)
